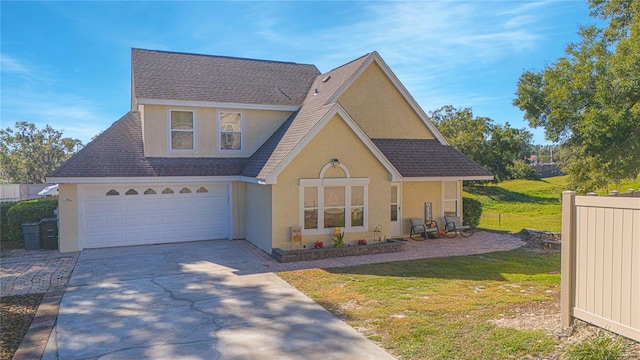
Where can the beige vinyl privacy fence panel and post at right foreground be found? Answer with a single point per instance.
(600, 281)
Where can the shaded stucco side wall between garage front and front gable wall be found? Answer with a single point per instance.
(258, 214)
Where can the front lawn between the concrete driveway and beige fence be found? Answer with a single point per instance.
(440, 308)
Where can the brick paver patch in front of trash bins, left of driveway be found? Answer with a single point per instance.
(34, 271)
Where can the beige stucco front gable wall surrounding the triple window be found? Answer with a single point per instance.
(335, 140)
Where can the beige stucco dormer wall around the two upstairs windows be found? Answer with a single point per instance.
(258, 126)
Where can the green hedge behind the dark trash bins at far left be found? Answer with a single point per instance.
(27, 211)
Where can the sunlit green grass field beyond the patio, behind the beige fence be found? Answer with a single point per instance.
(514, 205)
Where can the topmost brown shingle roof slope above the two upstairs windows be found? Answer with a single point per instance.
(163, 75)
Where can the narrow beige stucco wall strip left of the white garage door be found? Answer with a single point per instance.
(68, 216)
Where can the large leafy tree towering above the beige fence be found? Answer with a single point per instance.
(589, 99)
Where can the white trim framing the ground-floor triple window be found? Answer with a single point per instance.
(320, 184)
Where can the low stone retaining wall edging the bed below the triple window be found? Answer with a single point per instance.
(325, 253)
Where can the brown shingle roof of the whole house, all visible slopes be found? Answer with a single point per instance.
(119, 151)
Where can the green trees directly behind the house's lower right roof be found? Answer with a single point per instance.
(500, 149)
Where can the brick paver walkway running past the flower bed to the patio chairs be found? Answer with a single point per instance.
(480, 243)
